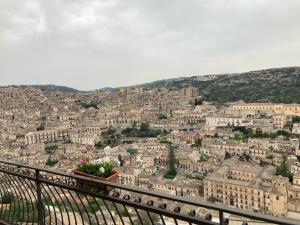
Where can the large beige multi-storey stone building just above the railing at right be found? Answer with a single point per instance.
(249, 187)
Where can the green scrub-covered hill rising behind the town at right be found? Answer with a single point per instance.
(269, 85)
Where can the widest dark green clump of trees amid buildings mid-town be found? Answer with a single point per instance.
(143, 131)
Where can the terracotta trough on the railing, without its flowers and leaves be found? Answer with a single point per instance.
(113, 179)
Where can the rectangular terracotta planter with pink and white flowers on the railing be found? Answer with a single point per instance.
(103, 171)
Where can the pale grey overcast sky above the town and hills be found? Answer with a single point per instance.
(89, 44)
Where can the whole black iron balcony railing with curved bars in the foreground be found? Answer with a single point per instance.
(31, 195)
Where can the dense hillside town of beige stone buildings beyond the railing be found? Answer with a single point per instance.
(244, 155)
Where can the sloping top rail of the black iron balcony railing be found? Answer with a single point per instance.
(184, 200)
